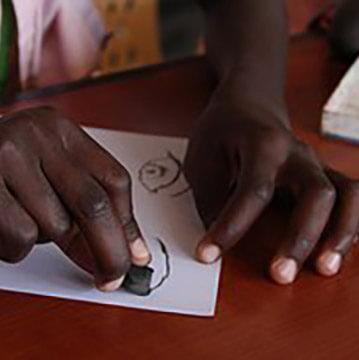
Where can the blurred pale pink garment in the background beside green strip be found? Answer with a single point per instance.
(59, 40)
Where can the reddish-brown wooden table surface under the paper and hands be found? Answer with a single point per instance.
(313, 319)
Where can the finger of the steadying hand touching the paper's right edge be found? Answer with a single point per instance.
(252, 195)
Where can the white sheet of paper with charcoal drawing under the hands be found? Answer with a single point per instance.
(168, 214)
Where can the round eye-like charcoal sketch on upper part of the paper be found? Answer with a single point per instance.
(161, 174)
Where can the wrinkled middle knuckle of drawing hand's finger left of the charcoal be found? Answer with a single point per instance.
(94, 203)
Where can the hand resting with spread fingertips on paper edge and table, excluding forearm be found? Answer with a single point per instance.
(238, 159)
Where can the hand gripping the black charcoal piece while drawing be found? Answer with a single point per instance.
(57, 183)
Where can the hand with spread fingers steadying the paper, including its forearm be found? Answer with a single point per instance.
(243, 151)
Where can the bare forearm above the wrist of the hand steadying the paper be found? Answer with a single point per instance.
(247, 45)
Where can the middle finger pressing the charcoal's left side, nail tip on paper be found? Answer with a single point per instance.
(93, 212)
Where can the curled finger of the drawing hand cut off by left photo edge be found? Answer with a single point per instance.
(18, 231)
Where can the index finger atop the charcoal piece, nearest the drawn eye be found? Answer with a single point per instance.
(115, 179)
